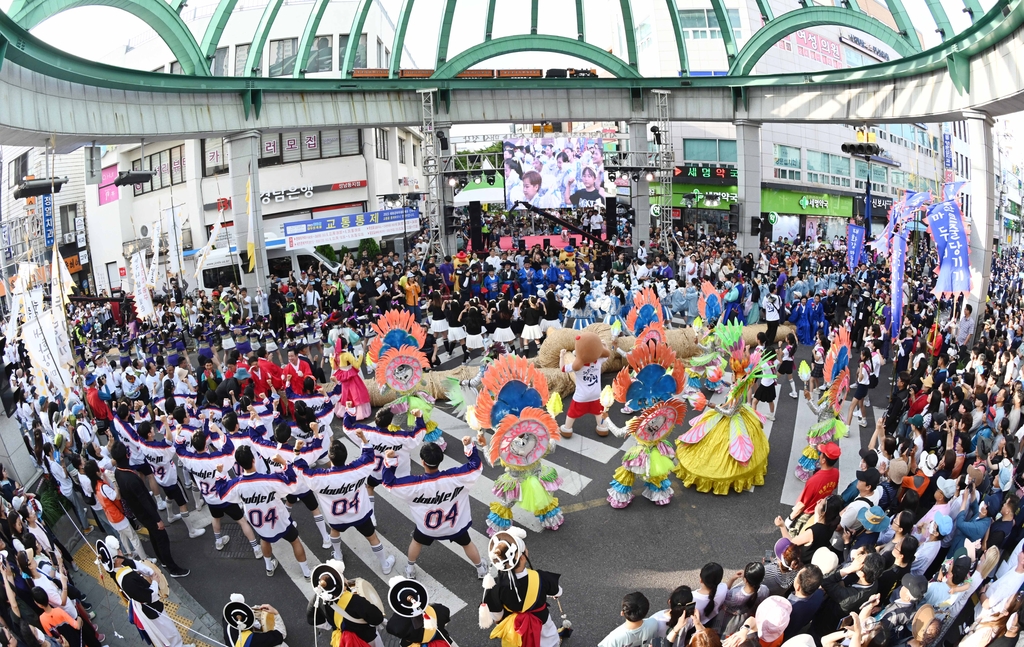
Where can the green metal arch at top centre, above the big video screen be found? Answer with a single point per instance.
(540, 42)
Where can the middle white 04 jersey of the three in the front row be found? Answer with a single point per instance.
(340, 492)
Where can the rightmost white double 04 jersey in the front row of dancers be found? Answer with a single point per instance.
(440, 502)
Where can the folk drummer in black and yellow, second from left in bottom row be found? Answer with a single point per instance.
(352, 609)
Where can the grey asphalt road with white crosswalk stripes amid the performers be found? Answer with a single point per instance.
(602, 553)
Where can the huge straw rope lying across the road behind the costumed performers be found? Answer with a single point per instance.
(681, 340)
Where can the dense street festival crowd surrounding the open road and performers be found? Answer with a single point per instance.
(224, 398)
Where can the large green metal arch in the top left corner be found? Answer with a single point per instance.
(158, 16)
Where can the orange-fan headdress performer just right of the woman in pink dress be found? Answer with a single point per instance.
(401, 366)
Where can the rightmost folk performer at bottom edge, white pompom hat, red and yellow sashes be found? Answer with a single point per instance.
(518, 599)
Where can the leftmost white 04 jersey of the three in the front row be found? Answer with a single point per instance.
(263, 497)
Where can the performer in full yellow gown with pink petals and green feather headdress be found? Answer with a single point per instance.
(727, 446)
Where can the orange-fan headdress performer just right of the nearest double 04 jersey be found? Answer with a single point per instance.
(514, 395)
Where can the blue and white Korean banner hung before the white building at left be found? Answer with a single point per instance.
(350, 228)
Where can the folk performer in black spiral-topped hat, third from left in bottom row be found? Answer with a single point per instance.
(416, 622)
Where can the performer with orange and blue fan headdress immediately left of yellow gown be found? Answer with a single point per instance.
(651, 384)
